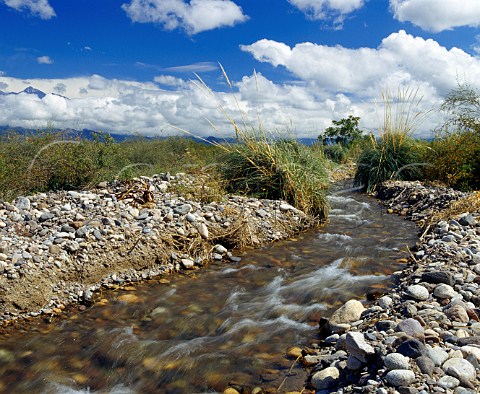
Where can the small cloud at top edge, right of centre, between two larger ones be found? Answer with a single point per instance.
(335, 10)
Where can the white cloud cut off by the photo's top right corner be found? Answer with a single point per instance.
(437, 15)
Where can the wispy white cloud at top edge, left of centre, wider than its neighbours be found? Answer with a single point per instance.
(194, 16)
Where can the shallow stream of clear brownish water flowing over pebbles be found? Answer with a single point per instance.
(227, 323)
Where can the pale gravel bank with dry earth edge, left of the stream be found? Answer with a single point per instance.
(60, 248)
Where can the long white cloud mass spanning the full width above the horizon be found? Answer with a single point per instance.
(331, 83)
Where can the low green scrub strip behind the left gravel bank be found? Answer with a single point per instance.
(56, 161)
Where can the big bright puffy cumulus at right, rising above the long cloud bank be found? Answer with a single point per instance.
(401, 59)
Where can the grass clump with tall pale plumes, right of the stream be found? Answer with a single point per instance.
(395, 154)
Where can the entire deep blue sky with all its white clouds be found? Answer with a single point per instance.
(162, 67)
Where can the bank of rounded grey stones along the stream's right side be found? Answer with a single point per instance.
(424, 335)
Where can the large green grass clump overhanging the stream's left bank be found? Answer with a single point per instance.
(273, 166)
